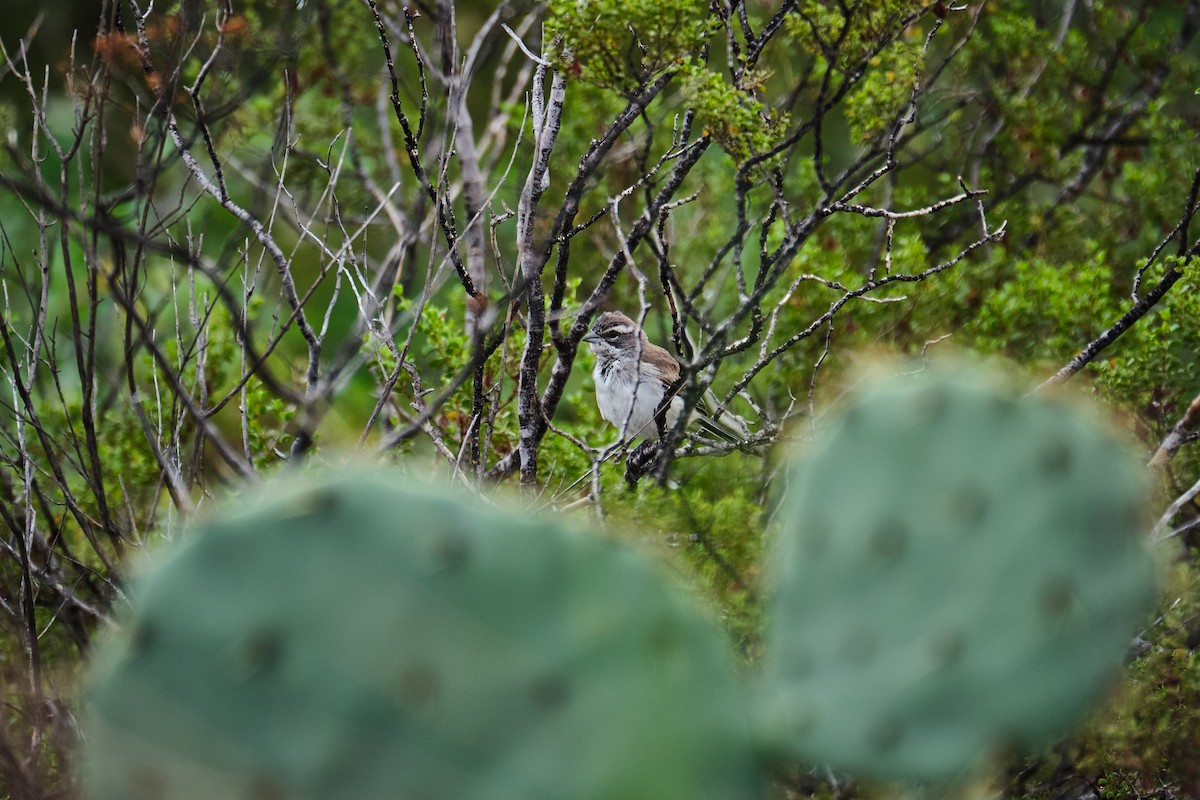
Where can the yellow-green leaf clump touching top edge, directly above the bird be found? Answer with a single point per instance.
(623, 44)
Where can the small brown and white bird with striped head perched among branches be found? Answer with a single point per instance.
(633, 377)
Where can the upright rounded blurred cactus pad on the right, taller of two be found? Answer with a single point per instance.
(959, 574)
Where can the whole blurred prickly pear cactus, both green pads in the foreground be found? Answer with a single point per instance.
(358, 637)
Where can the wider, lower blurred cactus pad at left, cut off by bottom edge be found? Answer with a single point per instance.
(352, 639)
